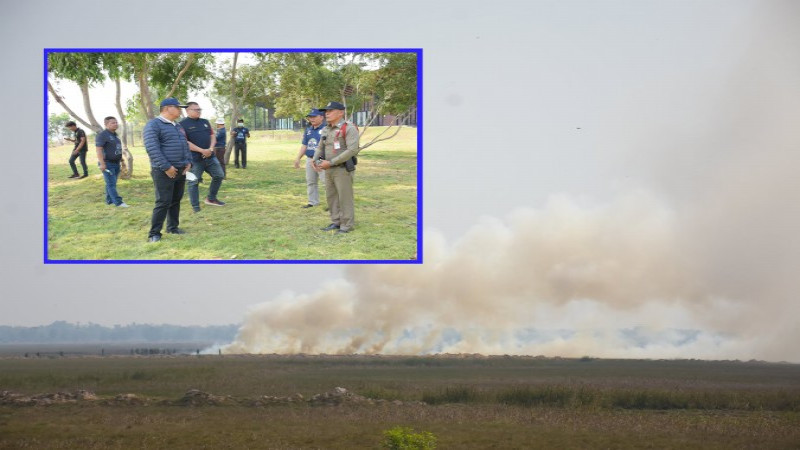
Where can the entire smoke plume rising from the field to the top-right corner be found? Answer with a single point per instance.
(699, 258)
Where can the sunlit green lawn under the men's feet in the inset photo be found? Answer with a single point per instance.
(263, 218)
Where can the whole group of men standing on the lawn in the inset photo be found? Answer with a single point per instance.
(184, 150)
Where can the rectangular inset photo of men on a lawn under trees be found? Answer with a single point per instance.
(269, 156)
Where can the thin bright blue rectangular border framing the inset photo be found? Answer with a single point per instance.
(420, 122)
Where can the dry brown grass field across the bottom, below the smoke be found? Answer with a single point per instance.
(465, 401)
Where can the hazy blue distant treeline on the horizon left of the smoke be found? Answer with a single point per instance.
(62, 331)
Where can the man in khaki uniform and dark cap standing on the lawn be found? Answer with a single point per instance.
(337, 146)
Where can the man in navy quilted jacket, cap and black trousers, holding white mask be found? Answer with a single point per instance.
(170, 159)
